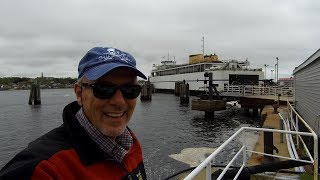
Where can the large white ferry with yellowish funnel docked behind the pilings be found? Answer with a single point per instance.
(226, 72)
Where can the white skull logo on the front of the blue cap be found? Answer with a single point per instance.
(113, 54)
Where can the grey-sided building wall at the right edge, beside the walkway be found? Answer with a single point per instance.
(307, 90)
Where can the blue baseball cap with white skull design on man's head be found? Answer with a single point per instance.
(99, 61)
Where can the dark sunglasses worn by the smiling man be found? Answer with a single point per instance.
(104, 91)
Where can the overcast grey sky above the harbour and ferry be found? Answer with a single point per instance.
(51, 36)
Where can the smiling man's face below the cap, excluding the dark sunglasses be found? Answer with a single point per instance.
(109, 116)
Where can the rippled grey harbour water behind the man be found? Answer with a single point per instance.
(163, 126)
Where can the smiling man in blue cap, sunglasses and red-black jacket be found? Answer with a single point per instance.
(94, 141)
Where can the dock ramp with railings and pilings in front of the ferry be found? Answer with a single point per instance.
(253, 98)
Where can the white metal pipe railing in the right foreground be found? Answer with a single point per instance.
(294, 118)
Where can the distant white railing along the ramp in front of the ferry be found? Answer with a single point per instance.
(259, 90)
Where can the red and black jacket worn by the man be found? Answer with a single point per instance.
(67, 152)
